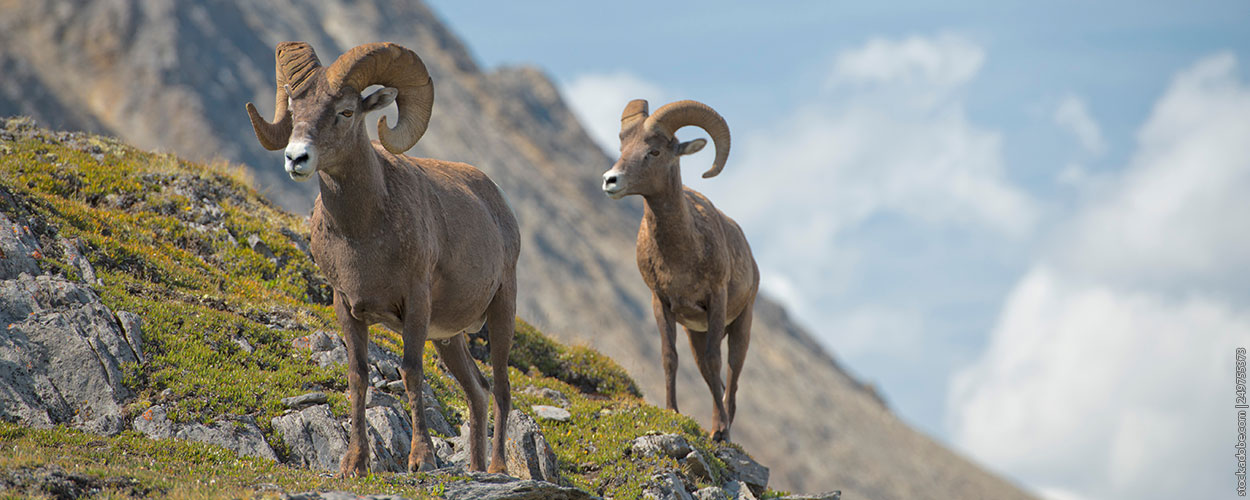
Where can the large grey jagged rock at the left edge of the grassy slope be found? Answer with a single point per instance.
(61, 351)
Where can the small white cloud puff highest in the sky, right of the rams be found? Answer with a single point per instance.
(943, 61)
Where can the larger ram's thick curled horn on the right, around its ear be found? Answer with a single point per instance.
(394, 67)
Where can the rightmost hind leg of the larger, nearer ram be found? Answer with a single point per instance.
(501, 326)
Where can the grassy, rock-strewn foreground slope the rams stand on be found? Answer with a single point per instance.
(177, 317)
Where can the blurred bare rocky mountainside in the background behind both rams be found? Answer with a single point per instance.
(176, 77)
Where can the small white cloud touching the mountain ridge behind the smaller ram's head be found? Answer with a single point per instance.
(598, 102)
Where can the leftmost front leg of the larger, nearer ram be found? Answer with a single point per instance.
(356, 336)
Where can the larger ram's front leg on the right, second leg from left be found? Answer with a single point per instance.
(417, 322)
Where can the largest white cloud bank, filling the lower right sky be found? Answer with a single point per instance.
(1109, 372)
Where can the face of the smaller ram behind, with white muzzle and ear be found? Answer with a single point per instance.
(648, 163)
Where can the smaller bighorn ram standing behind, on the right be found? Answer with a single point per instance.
(694, 258)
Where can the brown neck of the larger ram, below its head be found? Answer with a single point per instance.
(356, 199)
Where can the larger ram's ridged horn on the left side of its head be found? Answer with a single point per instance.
(296, 66)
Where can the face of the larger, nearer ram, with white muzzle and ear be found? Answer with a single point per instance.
(323, 126)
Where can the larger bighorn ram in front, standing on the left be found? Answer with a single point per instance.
(427, 248)
